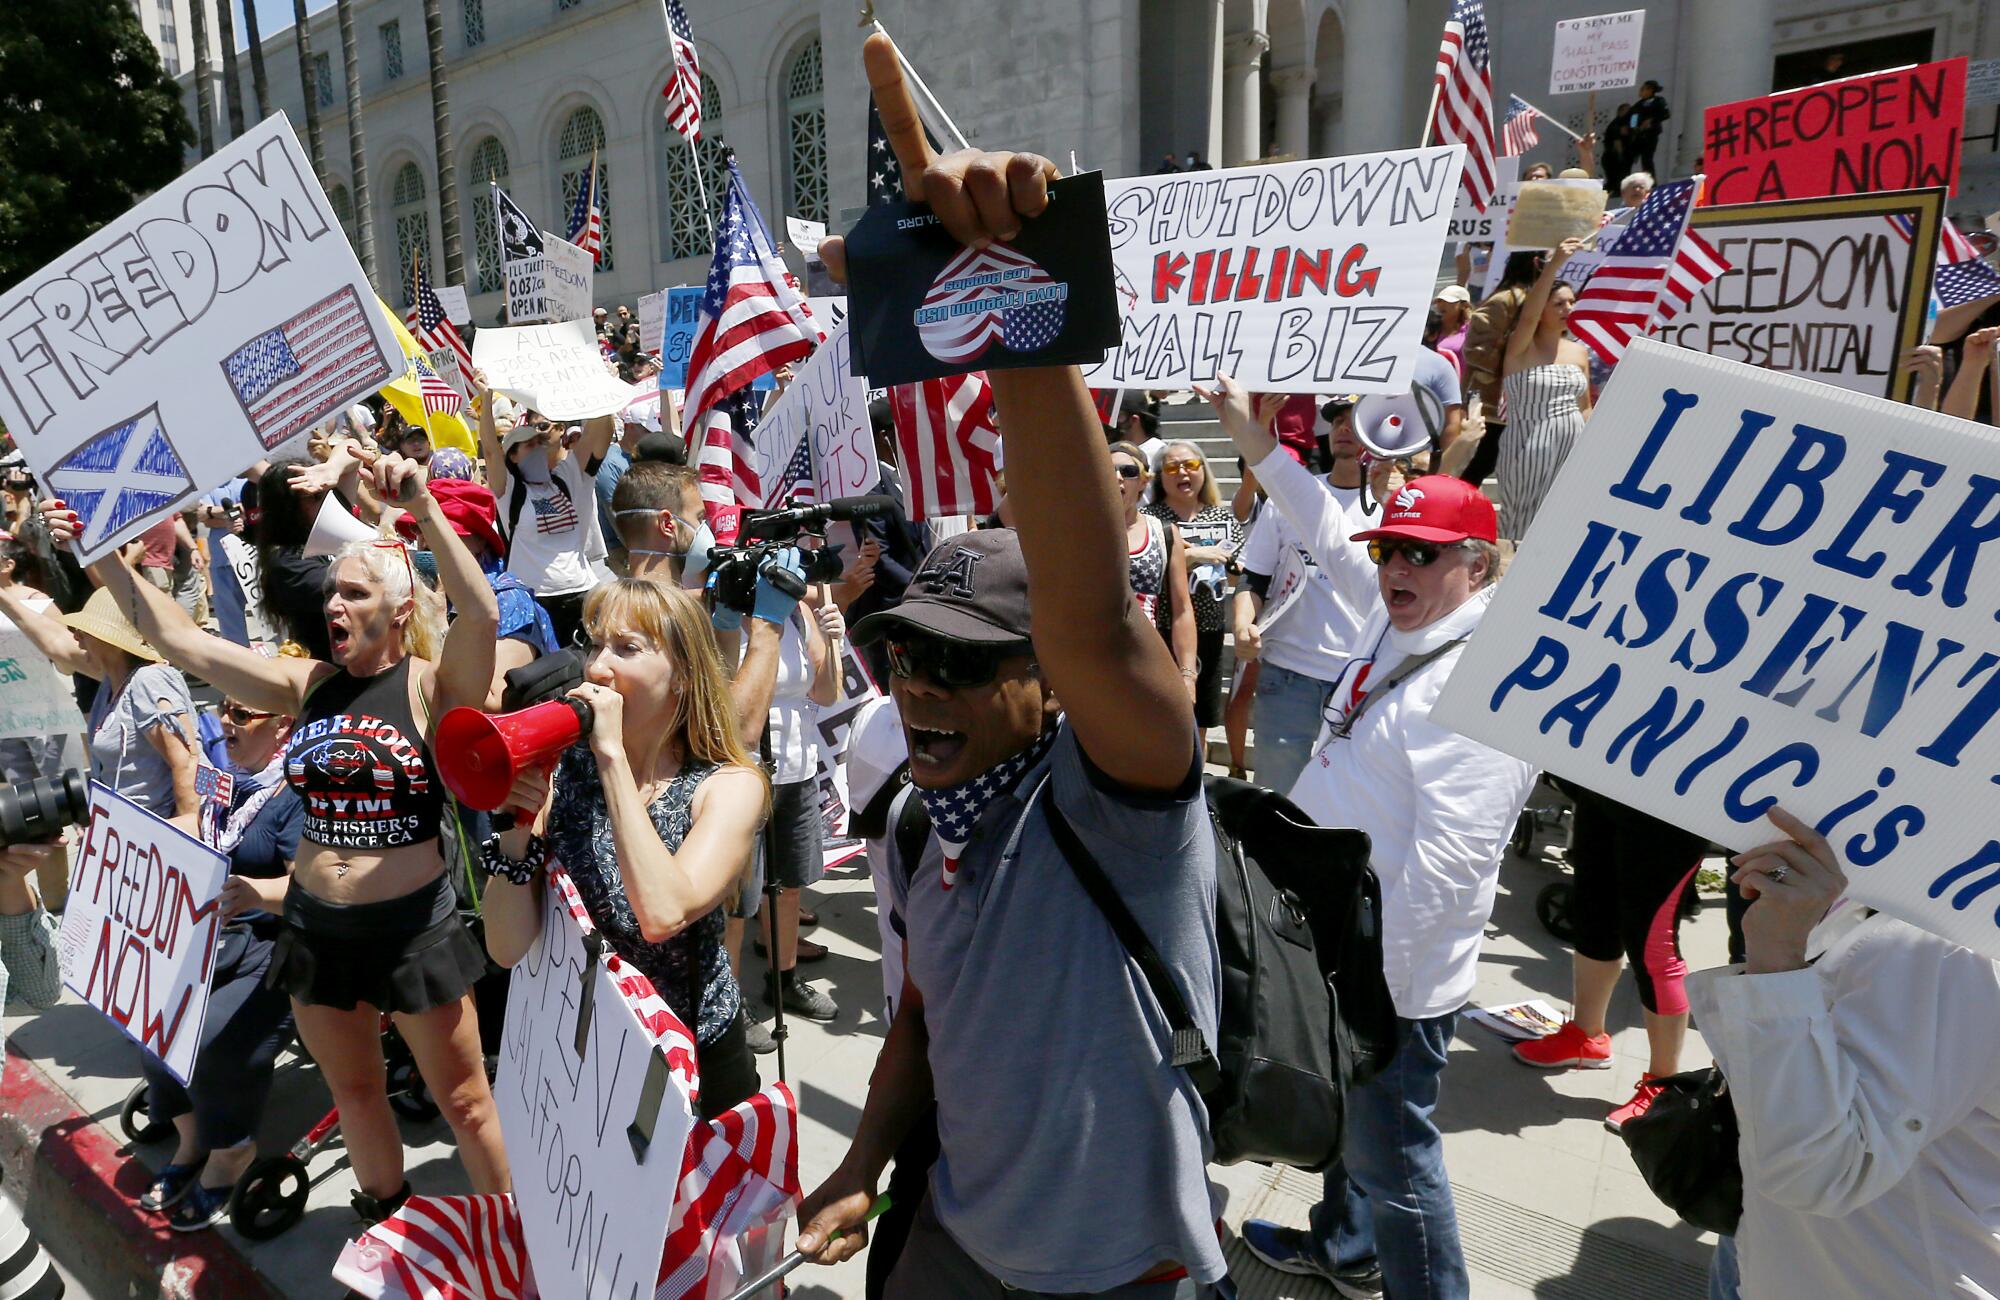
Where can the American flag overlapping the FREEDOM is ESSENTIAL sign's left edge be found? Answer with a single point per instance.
(1655, 271)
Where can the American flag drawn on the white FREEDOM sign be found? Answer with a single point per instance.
(299, 373)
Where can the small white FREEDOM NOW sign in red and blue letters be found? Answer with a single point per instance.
(139, 935)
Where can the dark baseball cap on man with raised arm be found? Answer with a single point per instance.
(969, 589)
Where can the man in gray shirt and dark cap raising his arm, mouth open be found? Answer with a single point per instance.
(1073, 1149)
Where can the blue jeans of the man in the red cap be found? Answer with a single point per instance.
(1389, 1199)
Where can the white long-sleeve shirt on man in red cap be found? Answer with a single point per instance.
(1437, 807)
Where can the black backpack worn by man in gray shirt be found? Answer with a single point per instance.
(1305, 1003)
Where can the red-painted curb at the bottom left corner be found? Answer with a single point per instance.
(81, 1191)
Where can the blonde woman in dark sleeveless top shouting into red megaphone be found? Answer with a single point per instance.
(653, 813)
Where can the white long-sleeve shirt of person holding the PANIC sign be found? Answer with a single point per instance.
(1869, 1099)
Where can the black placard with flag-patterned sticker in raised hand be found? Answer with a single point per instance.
(923, 305)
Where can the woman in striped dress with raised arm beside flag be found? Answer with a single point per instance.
(1547, 385)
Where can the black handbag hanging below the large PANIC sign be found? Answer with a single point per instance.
(1685, 1149)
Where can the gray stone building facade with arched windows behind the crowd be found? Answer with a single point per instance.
(541, 87)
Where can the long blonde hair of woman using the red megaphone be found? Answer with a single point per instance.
(679, 623)
